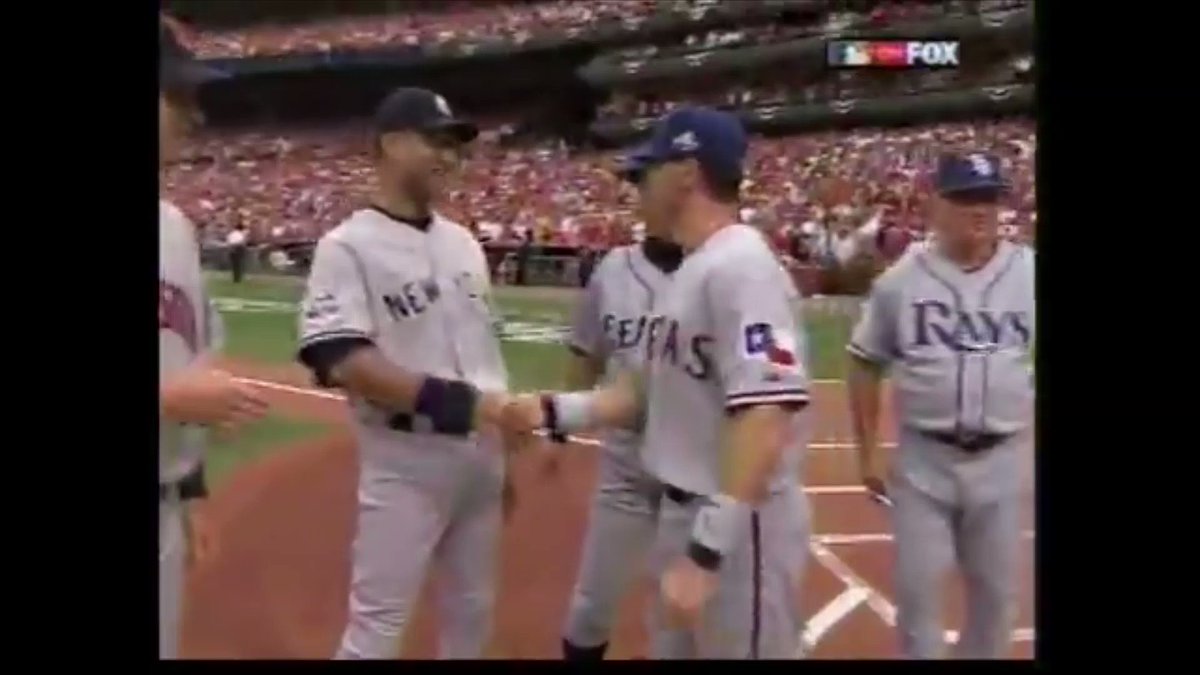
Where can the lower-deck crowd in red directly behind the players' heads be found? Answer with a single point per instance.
(295, 187)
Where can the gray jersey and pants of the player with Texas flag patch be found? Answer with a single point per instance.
(727, 334)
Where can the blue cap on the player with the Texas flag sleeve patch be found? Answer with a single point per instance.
(715, 139)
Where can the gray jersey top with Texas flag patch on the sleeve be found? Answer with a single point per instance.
(725, 334)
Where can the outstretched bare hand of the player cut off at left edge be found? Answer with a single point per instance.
(203, 395)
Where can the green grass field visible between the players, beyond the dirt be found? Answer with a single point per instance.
(261, 326)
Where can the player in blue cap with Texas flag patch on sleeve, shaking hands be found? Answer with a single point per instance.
(721, 399)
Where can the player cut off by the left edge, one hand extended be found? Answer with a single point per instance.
(193, 395)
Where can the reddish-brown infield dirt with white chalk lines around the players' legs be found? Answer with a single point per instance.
(279, 588)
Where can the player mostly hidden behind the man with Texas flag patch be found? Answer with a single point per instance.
(609, 338)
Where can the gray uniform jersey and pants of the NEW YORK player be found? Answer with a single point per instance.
(423, 297)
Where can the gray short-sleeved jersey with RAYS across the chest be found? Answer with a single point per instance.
(958, 344)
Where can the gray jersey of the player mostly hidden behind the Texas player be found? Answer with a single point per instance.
(611, 320)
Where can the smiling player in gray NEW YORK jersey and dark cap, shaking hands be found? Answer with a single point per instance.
(398, 314)
